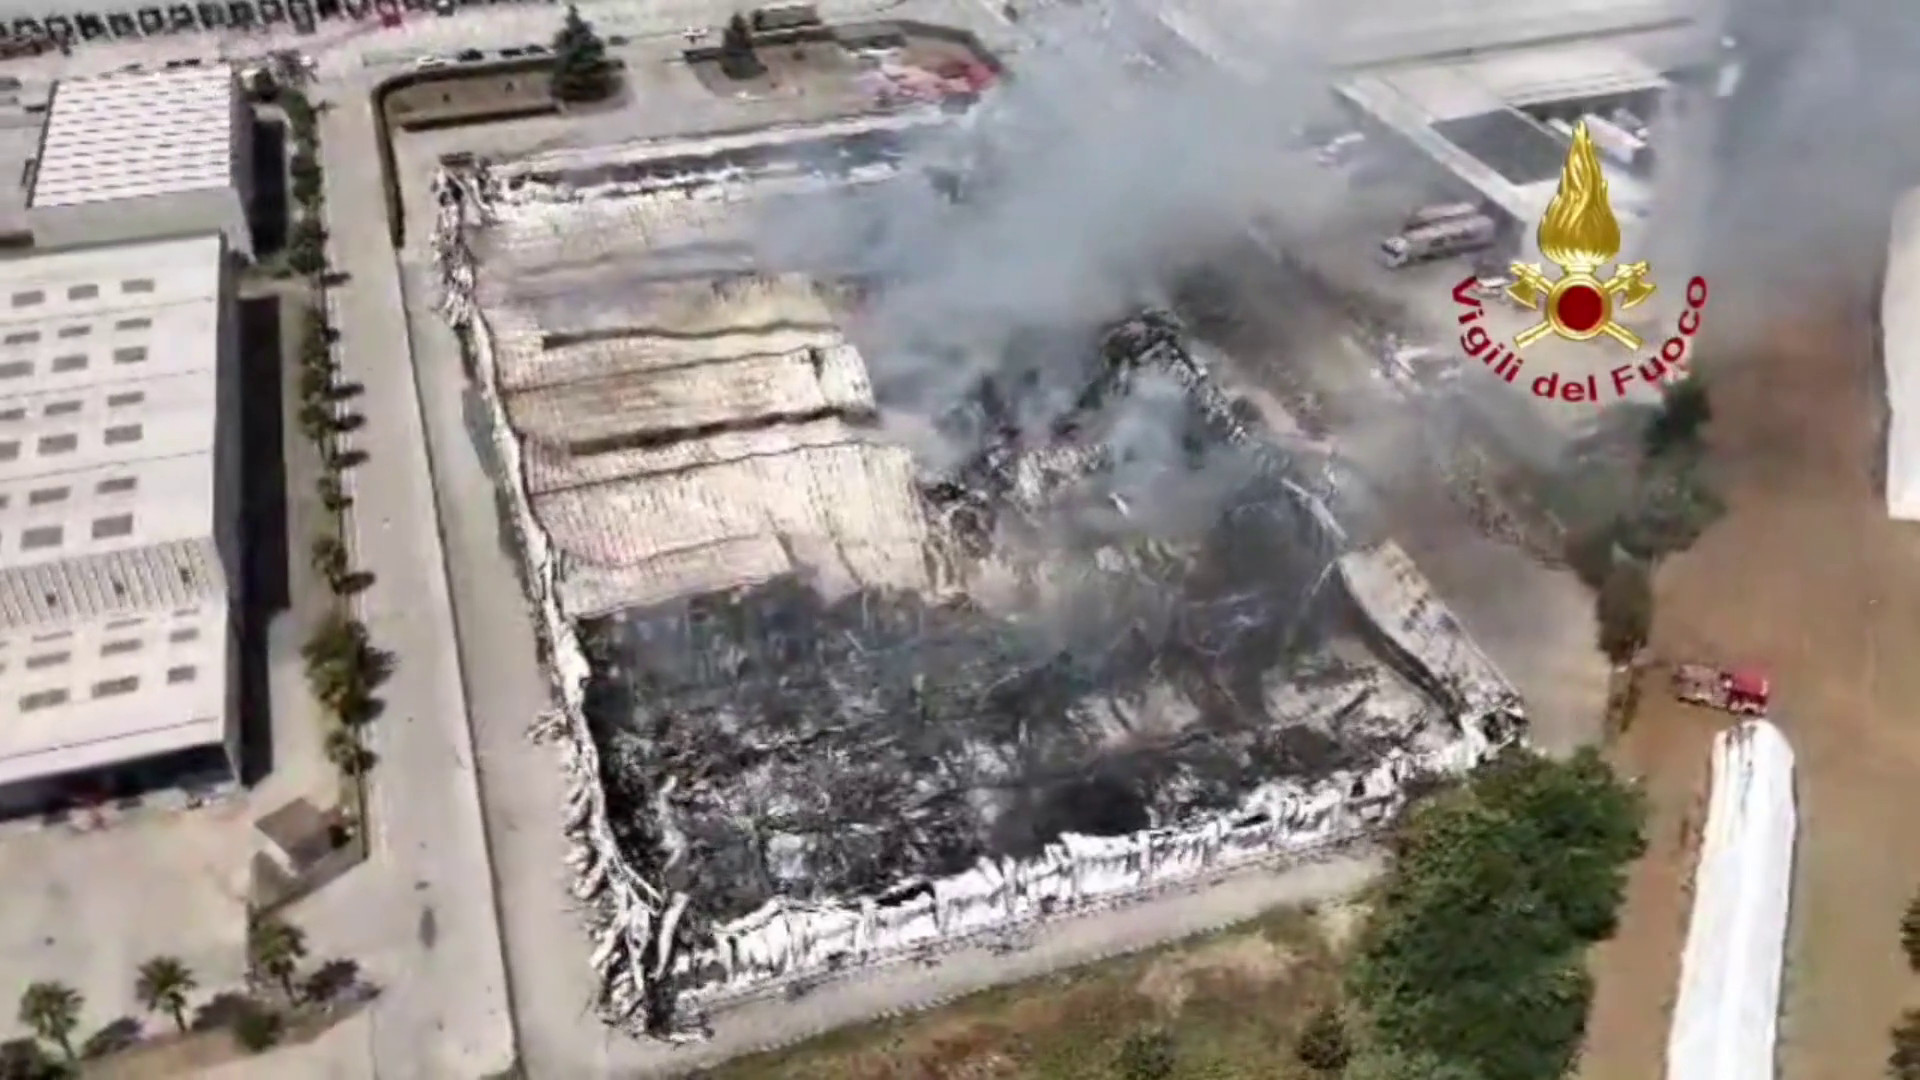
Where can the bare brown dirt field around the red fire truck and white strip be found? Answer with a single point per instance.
(1810, 579)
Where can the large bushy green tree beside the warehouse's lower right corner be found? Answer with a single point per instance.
(1476, 948)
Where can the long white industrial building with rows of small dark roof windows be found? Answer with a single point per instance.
(118, 520)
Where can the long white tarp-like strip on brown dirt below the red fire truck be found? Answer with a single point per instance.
(1729, 1010)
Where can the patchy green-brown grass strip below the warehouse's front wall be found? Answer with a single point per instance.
(1232, 1004)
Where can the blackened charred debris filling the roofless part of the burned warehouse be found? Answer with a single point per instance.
(779, 743)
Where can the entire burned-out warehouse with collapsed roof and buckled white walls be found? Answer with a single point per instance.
(830, 697)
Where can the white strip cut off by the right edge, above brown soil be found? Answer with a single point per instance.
(1900, 347)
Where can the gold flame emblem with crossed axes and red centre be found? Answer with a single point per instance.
(1579, 233)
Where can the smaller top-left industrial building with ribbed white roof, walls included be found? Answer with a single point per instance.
(143, 155)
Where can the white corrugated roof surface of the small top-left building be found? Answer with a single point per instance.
(137, 135)
